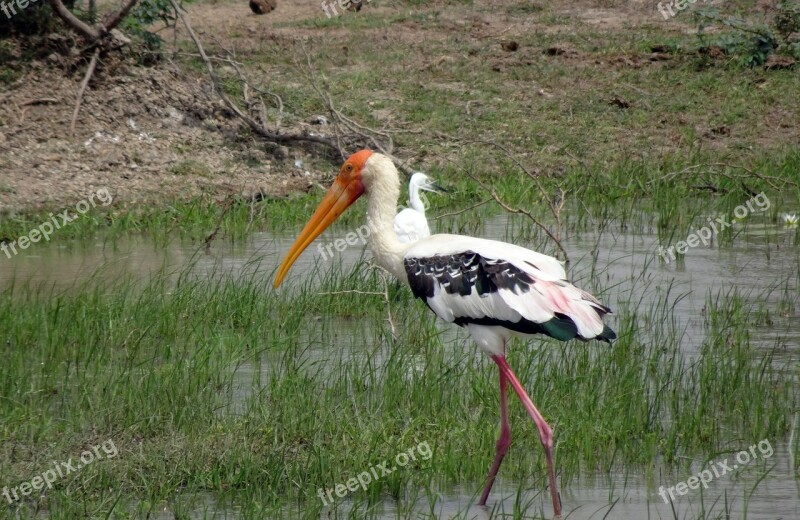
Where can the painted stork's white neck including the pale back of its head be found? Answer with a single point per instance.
(382, 185)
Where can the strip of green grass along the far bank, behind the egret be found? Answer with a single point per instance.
(671, 194)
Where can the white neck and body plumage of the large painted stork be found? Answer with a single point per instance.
(545, 297)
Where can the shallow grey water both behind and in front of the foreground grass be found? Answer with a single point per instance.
(621, 266)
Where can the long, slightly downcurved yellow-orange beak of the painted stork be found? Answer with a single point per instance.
(339, 197)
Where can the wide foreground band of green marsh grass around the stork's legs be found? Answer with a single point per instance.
(218, 385)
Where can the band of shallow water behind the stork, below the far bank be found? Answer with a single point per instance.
(617, 265)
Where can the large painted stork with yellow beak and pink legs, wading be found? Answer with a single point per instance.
(496, 290)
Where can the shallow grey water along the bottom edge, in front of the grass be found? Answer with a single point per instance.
(618, 496)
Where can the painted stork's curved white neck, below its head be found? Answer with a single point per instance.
(381, 209)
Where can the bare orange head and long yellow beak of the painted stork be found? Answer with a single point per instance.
(346, 189)
